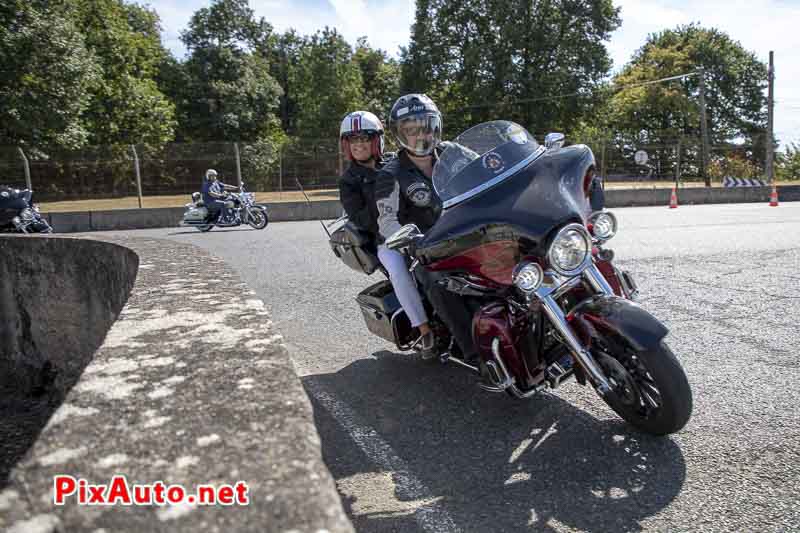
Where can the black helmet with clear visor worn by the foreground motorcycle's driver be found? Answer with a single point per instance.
(416, 123)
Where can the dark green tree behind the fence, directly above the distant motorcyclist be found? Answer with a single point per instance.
(230, 93)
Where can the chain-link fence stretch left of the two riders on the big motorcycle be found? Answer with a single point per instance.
(111, 171)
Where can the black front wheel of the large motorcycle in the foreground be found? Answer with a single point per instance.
(649, 388)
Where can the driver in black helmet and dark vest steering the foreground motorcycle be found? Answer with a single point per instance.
(405, 195)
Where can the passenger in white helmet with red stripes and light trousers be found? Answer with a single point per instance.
(361, 137)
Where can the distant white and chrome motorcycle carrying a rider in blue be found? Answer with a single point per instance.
(241, 208)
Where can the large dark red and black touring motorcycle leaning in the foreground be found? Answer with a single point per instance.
(517, 241)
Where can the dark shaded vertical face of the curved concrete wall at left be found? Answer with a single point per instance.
(58, 298)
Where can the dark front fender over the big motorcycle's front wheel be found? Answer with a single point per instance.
(615, 315)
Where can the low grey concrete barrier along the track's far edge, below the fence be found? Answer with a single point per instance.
(126, 219)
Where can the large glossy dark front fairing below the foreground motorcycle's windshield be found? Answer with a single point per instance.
(523, 210)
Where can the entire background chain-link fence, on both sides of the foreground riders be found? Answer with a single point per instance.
(105, 172)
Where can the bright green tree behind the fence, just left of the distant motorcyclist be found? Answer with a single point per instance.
(126, 105)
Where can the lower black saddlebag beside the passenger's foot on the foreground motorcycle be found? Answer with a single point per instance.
(384, 315)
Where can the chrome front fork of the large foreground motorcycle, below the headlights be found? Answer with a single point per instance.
(547, 295)
